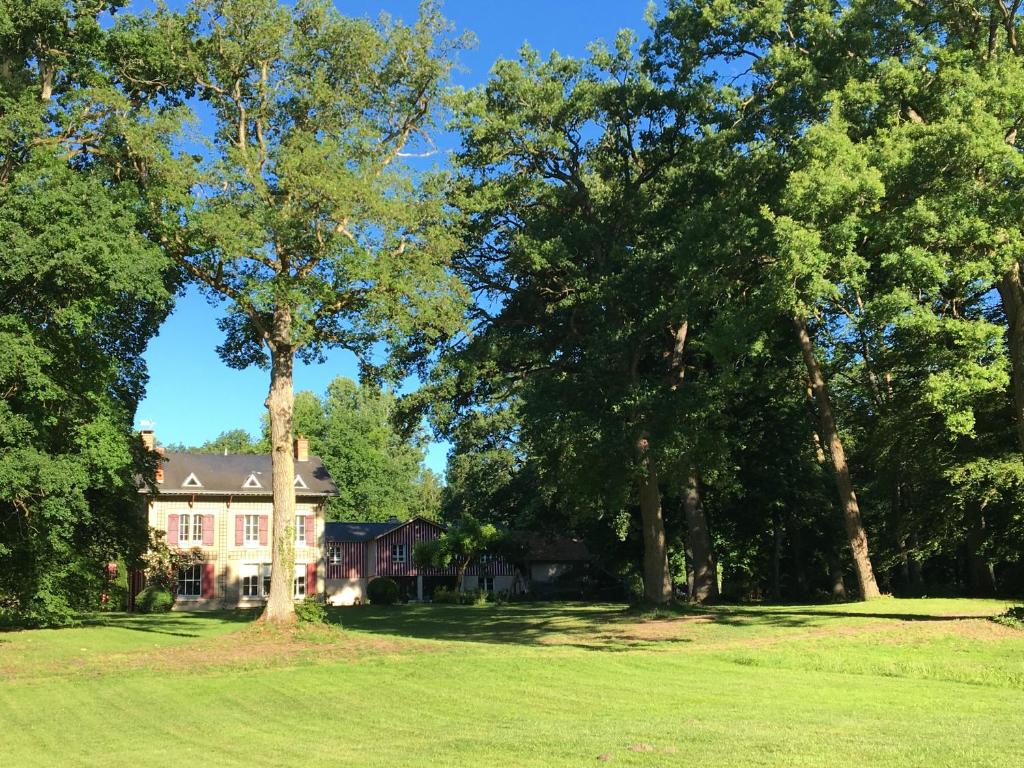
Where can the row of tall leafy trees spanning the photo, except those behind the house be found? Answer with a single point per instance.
(740, 301)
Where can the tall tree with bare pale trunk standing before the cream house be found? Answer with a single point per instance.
(307, 216)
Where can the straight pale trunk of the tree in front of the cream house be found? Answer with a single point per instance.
(280, 405)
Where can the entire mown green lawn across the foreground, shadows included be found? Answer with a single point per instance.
(890, 684)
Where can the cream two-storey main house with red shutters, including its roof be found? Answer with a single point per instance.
(223, 506)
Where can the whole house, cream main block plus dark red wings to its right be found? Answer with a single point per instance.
(223, 506)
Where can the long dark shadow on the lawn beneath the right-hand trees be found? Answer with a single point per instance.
(590, 627)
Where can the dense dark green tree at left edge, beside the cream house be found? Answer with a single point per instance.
(82, 291)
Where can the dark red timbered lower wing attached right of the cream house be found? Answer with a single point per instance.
(357, 552)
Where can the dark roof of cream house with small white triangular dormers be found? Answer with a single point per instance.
(237, 475)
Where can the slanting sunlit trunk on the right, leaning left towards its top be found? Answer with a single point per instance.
(844, 485)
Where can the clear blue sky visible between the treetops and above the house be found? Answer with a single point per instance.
(192, 396)
